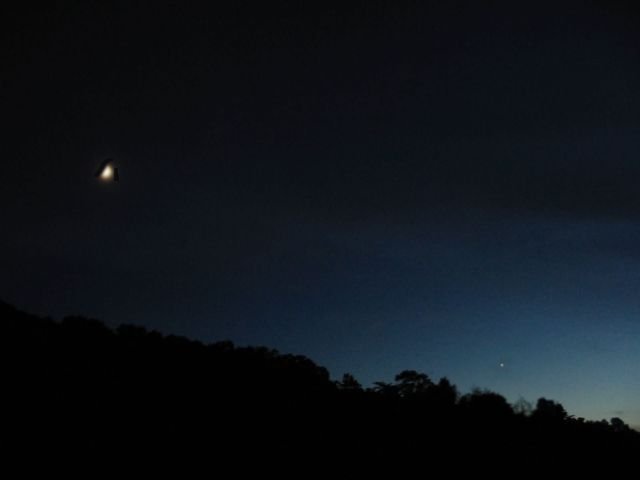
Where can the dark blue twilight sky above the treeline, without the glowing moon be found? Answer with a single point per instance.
(379, 186)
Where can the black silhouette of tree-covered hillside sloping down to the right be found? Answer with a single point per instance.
(77, 382)
